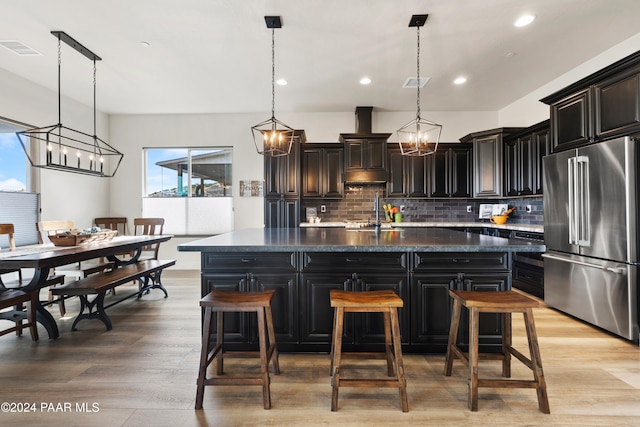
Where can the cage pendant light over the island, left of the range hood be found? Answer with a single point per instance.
(272, 137)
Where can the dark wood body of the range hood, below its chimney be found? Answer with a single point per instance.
(365, 157)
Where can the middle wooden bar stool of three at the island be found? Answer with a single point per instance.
(386, 302)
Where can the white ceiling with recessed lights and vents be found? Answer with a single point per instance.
(210, 56)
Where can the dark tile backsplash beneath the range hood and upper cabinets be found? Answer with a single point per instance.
(357, 205)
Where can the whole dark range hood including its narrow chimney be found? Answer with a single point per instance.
(358, 151)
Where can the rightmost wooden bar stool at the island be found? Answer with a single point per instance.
(504, 302)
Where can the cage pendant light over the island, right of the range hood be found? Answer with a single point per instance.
(419, 137)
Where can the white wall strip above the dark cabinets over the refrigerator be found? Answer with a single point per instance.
(528, 110)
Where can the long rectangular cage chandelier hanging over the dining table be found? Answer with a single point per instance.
(61, 148)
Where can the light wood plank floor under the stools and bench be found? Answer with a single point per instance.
(143, 373)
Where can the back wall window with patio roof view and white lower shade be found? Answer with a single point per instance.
(190, 188)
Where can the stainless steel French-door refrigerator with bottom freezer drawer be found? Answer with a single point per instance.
(591, 234)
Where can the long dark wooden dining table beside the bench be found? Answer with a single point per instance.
(46, 257)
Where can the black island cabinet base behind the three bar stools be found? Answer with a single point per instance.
(303, 281)
